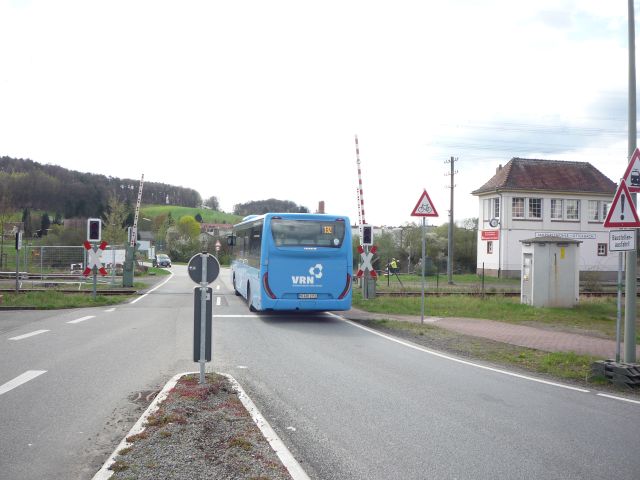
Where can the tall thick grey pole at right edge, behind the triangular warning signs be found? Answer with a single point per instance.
(630, 277)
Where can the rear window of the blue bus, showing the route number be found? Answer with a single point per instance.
(307, 233)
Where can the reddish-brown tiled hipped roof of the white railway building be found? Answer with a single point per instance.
(549, 176)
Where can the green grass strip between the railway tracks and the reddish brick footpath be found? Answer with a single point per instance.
(595, 315)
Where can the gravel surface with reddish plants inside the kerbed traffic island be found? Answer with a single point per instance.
(199, 432)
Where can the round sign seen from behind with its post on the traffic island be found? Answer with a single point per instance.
(203, 269)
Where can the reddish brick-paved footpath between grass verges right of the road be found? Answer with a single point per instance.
(521, 335)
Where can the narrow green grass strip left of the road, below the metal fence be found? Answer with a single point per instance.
(53, 300)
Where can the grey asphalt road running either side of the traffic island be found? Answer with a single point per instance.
(348, 403)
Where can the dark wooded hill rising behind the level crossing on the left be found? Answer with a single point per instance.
(28, 184)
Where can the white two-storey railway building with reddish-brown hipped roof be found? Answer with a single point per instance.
(531, 198)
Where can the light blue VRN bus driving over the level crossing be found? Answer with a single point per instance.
(293, 261)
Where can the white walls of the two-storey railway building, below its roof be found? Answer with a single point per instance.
(507, 251)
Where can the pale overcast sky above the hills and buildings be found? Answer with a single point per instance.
(249, 100)
